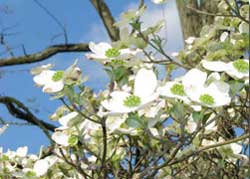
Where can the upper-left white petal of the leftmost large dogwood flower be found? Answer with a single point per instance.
(44, 77)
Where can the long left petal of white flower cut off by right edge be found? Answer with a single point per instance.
(218, 66)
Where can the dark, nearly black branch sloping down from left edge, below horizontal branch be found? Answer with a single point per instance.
(20, 111)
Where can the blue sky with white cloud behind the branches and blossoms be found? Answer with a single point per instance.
(34, 29)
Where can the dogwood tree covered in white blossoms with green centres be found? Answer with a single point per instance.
(142, 126)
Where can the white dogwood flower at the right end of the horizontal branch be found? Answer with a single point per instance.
(104, 51)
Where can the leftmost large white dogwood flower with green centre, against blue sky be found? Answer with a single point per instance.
(51, 81)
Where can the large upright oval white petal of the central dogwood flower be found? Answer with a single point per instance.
(145, 83)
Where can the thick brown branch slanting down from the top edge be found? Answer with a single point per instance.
(107, 19)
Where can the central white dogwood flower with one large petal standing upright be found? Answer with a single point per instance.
(144, 93)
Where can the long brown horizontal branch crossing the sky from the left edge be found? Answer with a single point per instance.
(45, 54)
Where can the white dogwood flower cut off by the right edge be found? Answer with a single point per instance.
(238, 69)
